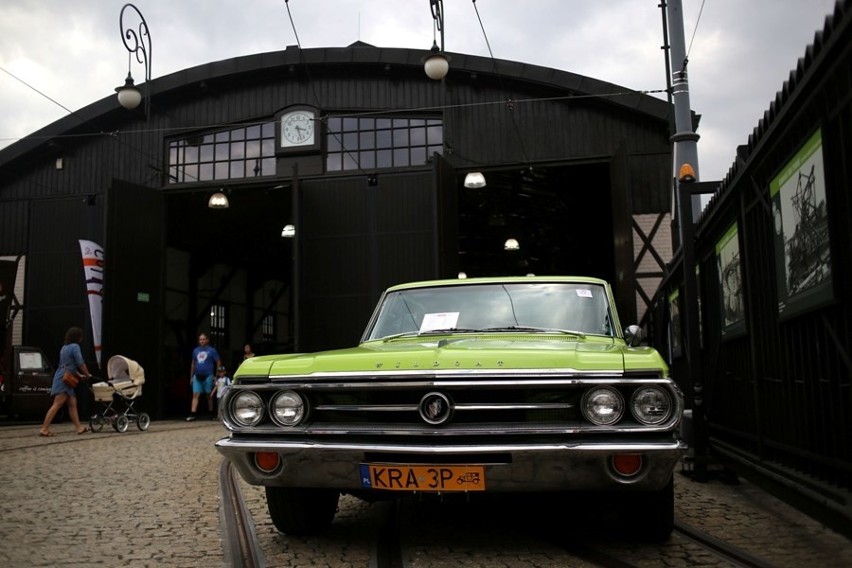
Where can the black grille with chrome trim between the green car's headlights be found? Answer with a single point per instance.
(517, 405)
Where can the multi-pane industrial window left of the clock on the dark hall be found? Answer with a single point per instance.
(243, 152)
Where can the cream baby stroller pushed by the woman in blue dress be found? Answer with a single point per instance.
(118, 394)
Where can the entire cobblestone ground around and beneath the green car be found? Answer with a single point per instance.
(142, 499)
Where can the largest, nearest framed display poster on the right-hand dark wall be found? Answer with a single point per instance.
(802, 251)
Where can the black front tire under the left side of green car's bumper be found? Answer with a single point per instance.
(297, 511)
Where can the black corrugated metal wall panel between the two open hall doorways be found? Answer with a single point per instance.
(356, 240)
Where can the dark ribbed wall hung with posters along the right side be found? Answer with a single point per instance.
(773, 255)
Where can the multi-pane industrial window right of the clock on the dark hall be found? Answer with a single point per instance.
(375, 143)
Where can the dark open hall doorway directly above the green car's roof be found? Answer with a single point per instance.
(560, 218)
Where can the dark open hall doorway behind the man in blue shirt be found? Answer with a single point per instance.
(228, 273)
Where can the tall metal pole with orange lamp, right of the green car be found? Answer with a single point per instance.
(686, 152)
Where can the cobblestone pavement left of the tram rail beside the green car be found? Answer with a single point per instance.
(135, 499)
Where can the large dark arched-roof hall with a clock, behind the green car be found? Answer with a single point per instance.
(578, 172)
